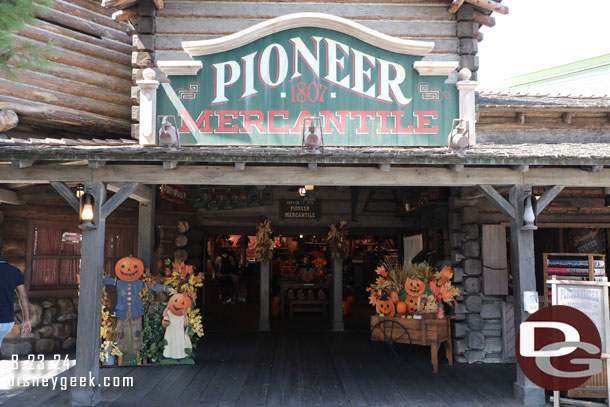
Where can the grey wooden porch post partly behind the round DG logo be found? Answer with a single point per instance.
(524, 279)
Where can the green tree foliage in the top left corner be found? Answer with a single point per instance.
(14, 16)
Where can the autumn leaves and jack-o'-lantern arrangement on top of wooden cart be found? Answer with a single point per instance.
(412, 290)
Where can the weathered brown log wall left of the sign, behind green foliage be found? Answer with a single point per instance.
(85, 92)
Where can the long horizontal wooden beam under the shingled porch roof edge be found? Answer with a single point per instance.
(295, 175)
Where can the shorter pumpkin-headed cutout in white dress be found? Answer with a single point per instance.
(176, 315)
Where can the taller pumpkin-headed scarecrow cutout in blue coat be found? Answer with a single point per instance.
(128, 272)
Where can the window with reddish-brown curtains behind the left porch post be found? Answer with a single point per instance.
(55, 250)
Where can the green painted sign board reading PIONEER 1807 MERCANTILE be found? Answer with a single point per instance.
(261, 94)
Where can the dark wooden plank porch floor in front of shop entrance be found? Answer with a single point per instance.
(299, 369)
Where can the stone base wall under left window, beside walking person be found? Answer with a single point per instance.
(53, 328)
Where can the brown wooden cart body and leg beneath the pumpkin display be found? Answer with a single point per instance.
(426, 332)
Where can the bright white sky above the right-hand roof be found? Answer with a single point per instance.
(539, 34)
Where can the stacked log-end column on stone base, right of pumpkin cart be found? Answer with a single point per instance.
(478, 331)
